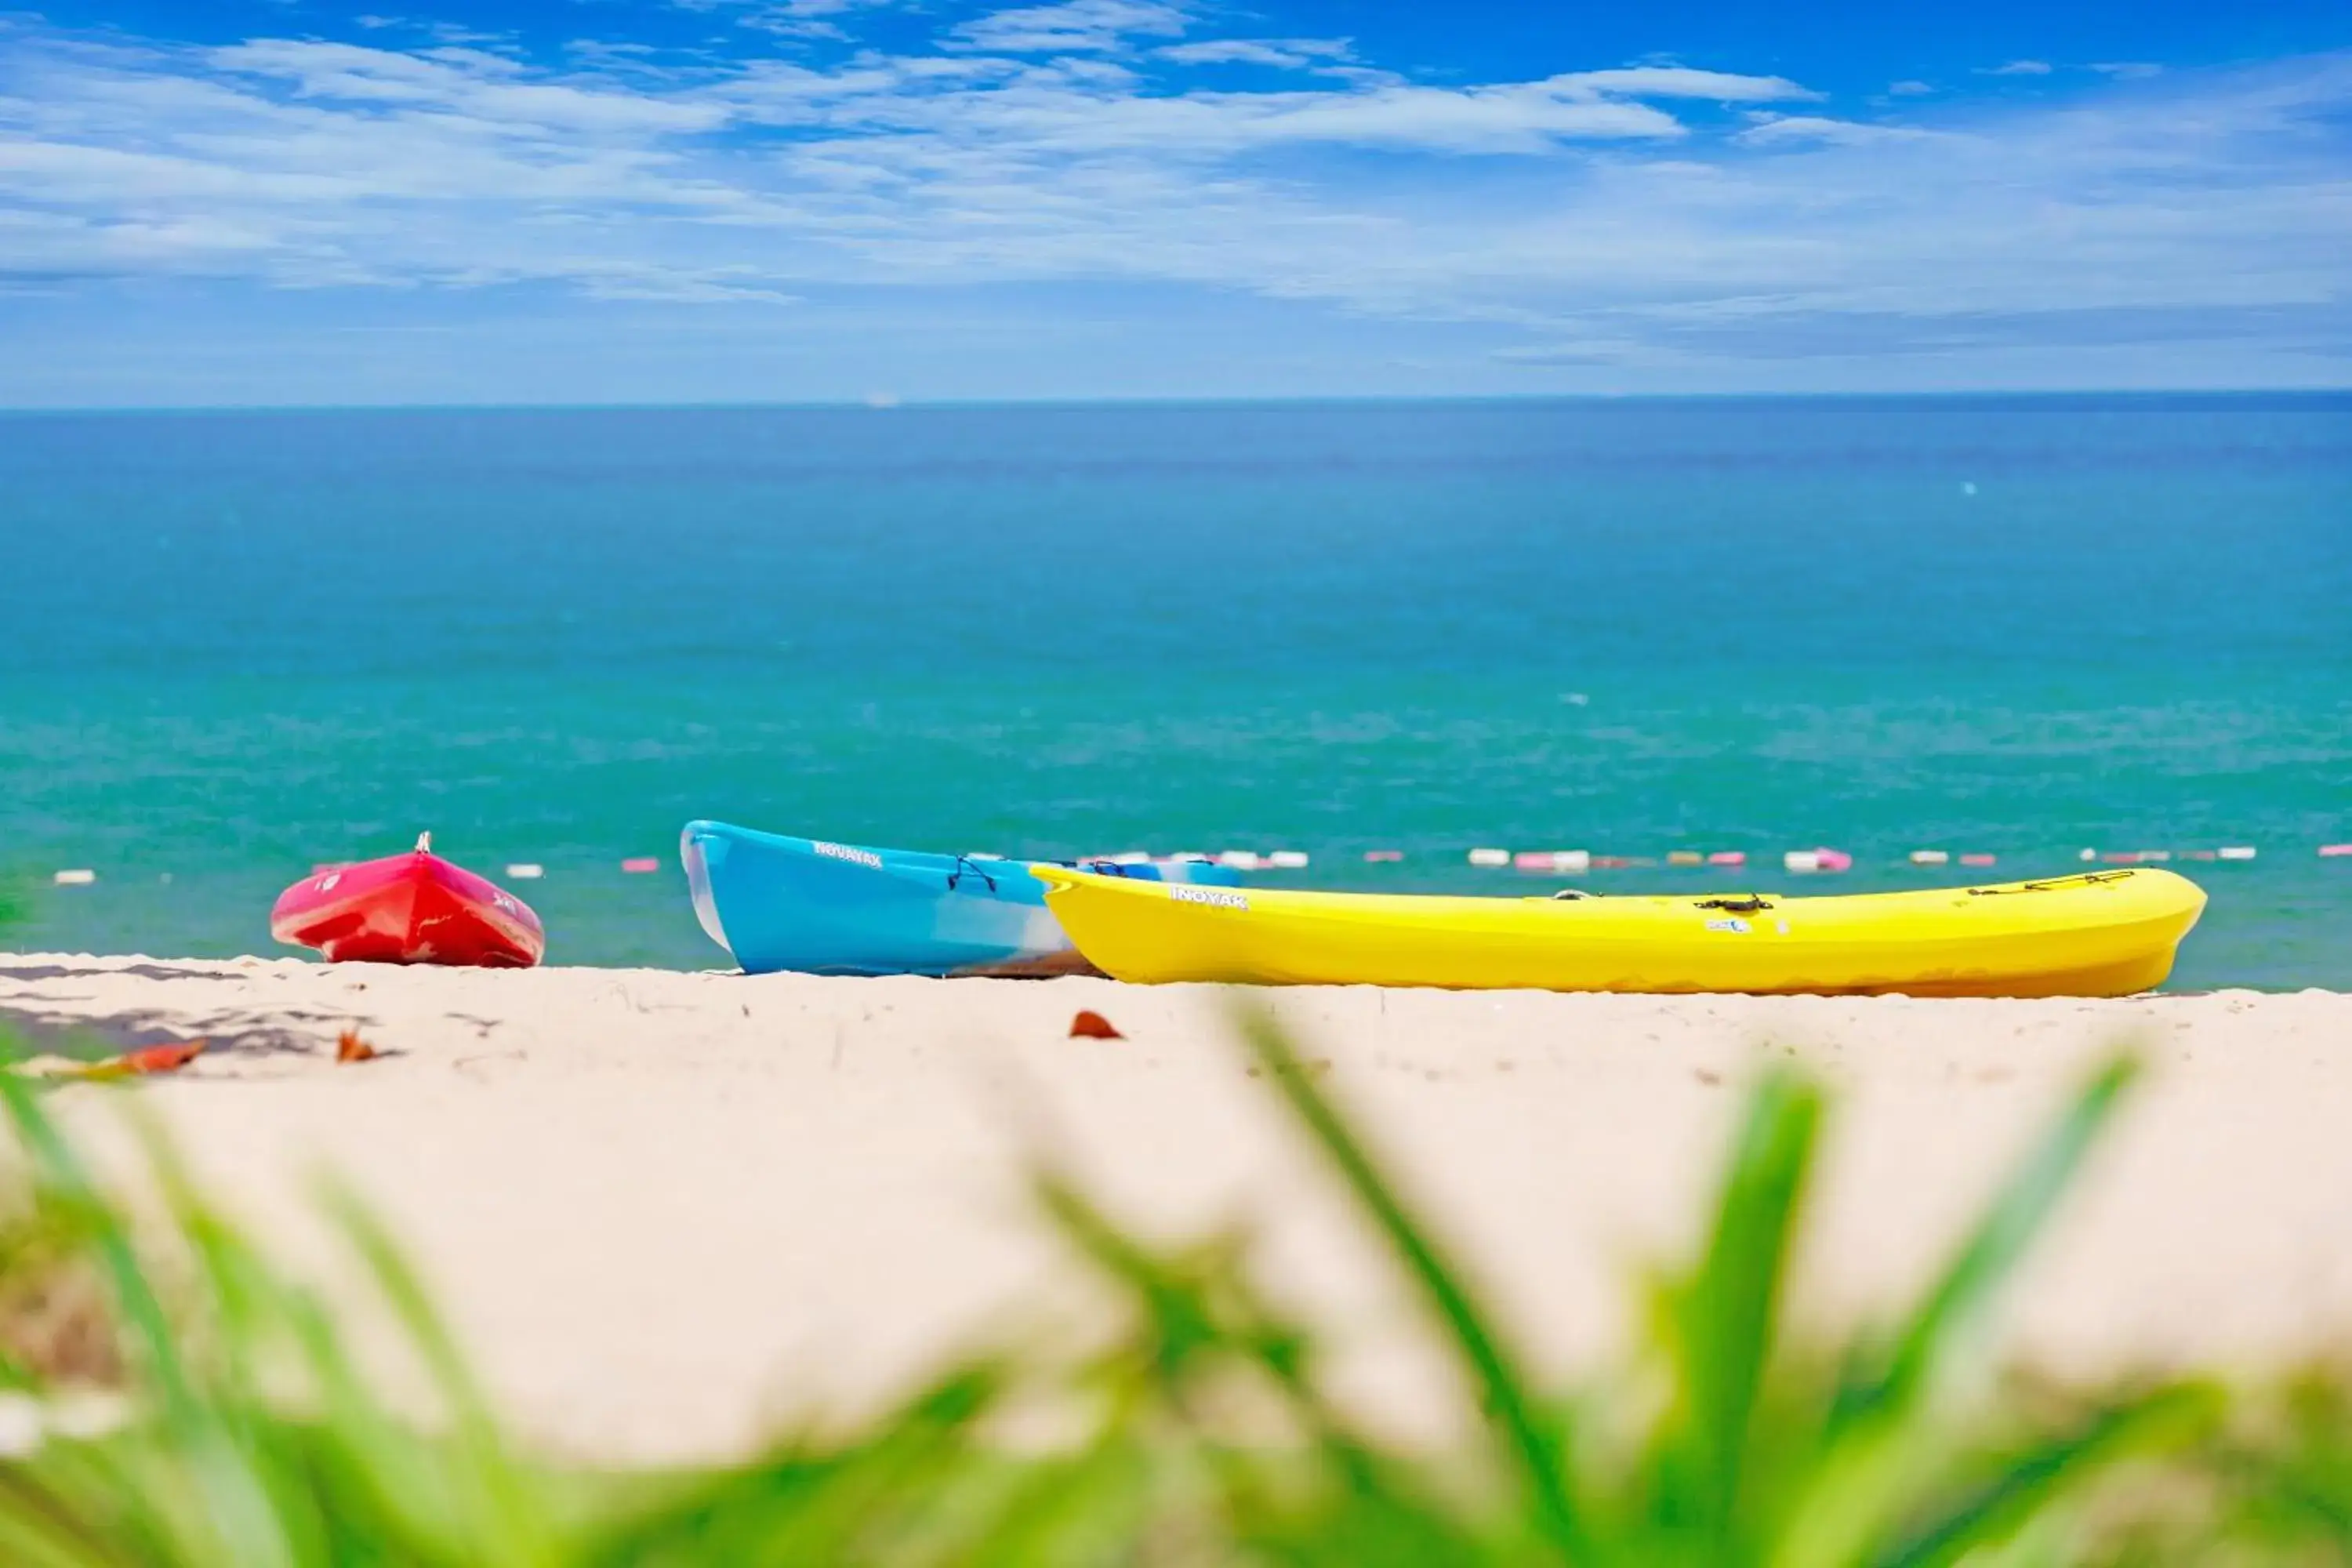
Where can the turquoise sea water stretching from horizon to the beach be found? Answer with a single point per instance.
(246, 643)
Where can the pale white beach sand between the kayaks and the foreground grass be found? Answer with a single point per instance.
(667, 1207)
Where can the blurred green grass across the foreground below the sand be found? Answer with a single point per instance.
(241, 1428)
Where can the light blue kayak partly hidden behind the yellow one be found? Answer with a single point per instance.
(850, 911)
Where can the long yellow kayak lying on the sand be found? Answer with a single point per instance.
(2099, 934)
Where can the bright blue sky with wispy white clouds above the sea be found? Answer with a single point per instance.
(218, 203)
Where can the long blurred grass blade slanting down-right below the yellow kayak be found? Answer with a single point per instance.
(1528, 1445)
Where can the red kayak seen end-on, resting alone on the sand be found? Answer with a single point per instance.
(410, 909)
